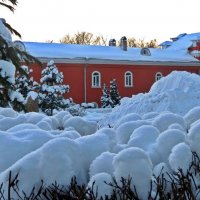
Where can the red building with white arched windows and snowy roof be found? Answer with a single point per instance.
(86, 68)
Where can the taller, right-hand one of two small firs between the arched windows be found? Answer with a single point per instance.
(114, 93)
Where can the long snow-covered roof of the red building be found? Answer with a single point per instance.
(177, 52)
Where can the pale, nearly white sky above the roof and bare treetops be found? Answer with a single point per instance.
(42, 20)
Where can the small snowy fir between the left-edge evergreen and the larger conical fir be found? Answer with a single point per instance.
(24, 83)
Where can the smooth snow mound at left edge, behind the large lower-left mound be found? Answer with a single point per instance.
(26, 141)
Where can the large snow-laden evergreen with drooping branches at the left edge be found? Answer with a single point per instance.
(10, 60)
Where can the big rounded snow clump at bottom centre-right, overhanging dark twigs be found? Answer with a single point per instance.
(140, 170)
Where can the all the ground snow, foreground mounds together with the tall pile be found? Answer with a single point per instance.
(149, 131)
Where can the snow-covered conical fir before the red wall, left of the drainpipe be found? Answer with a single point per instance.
(51, 94)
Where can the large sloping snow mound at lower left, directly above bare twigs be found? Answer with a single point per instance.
(35, 163)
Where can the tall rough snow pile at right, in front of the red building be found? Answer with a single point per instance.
(164, 95)
